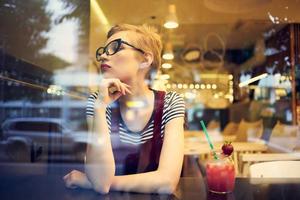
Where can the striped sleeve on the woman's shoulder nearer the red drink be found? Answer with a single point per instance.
(176, 108)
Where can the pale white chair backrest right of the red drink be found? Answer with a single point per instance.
(275, 169)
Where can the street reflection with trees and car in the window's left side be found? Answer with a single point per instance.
(42, 119)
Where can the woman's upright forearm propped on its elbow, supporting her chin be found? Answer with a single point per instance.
(100, 166)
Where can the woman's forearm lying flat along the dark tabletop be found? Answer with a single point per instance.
(149, 182)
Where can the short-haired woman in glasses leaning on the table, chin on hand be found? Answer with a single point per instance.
(136, 133)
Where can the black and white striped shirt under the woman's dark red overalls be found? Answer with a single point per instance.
(173, 107)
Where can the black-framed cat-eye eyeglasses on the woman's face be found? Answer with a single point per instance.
(113, 47)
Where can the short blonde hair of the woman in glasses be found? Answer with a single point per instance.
(147, 40)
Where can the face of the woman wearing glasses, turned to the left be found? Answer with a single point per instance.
(125, 63)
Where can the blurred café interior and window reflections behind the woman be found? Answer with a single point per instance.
(236, 64)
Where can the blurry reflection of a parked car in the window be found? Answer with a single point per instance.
(51, 138)
